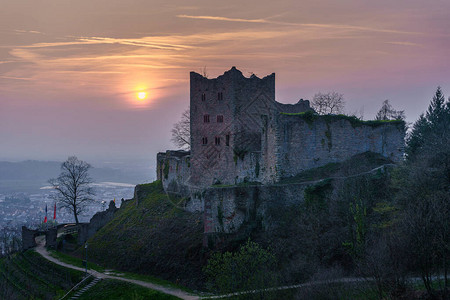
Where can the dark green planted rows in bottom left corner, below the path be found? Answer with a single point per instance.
(30, 276)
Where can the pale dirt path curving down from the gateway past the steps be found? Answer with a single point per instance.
(171, 291)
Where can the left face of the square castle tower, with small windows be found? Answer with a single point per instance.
(207, 158)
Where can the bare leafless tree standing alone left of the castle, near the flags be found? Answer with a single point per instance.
(73, 186)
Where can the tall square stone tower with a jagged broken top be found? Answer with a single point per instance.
(227, 114)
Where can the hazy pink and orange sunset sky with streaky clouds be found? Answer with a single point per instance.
(71, 71)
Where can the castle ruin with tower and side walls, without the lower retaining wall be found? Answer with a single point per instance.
(239, 133)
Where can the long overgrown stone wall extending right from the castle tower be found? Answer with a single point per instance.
(310, 143)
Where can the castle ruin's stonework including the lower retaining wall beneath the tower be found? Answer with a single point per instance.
(240, 134)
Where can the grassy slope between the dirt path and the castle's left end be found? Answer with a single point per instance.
(153, 237)
